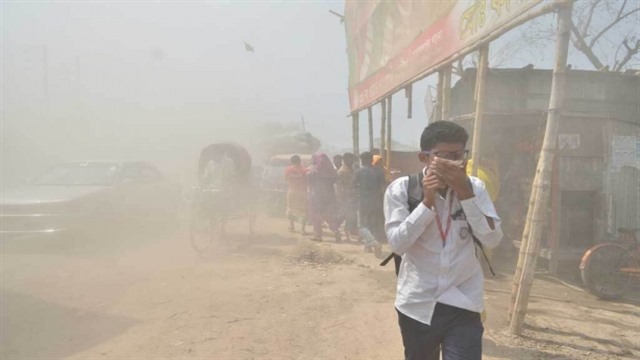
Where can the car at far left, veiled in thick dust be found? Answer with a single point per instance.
(87, 196)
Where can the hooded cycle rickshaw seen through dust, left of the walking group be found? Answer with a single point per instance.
(213, 207)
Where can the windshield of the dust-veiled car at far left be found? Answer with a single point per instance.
(79, 175)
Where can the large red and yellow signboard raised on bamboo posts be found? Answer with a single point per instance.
(391, 42)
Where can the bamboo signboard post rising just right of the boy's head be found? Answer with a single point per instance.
(481, 84)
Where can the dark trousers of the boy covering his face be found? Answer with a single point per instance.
(455, 332)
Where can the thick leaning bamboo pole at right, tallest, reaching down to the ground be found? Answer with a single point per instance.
(545, 165)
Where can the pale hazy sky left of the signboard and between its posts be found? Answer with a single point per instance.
(117, 79)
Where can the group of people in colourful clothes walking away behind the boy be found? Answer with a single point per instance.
(344, 193)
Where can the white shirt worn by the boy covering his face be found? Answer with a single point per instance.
(433, 271)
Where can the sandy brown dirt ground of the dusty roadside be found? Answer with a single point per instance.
(274, 295)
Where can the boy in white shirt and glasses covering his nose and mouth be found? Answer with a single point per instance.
(440, 281)
